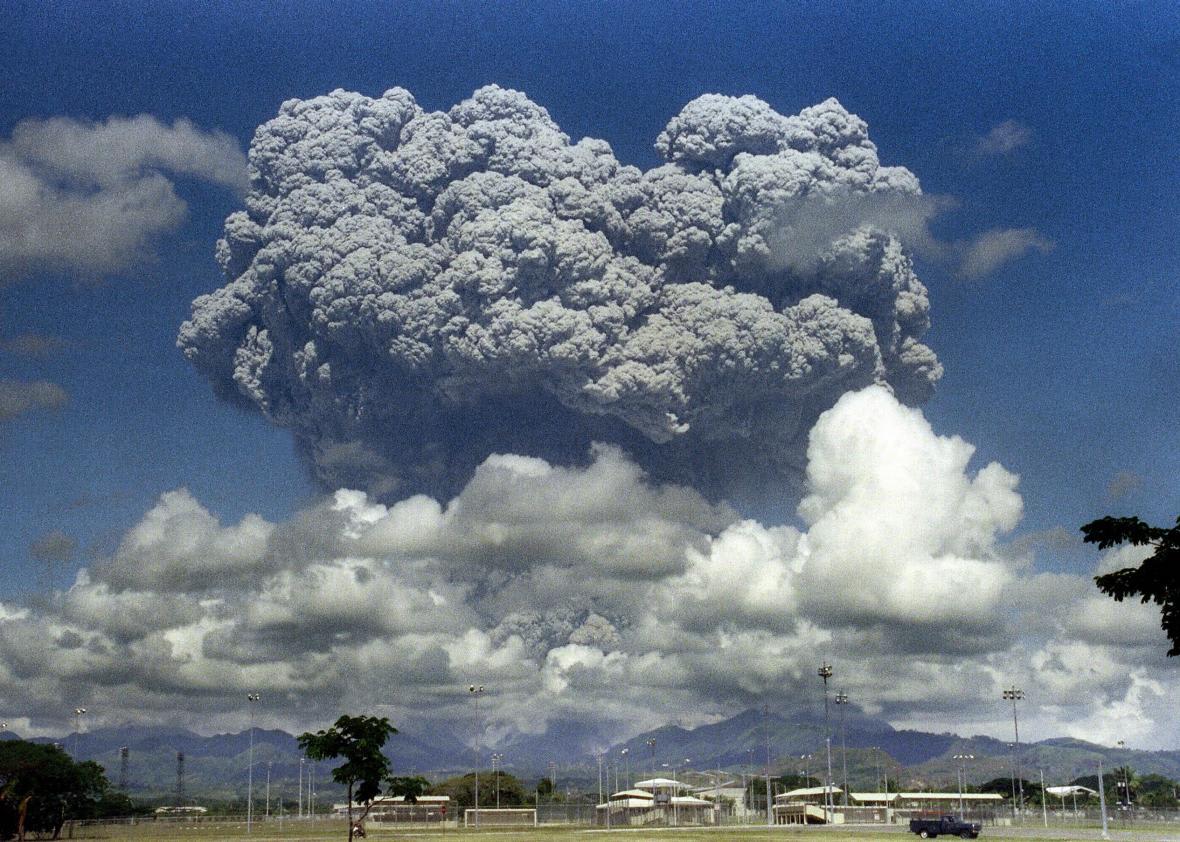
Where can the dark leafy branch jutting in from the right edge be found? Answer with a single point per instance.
(1156, 581)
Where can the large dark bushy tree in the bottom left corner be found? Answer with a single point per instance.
(42, 788)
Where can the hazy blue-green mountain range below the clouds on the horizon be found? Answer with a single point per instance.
(215, 768)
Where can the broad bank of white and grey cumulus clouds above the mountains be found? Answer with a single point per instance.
(599, 595)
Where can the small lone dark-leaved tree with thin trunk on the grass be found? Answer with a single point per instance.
(360, 741)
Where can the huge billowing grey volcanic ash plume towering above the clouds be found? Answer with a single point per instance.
(409, 291)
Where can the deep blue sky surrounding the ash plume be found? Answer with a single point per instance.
(1060, 364)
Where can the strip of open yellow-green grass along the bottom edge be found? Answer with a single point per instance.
(337, 832)
